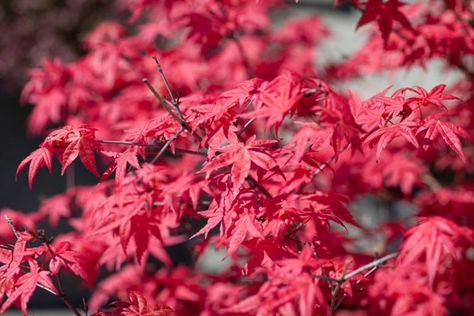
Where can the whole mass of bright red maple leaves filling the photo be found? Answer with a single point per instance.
(217, 127)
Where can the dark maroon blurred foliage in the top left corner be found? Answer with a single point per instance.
(35, 29)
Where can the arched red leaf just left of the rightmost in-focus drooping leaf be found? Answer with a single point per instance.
(385, 135)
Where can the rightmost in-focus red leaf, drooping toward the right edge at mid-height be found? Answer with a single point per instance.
(448, 131)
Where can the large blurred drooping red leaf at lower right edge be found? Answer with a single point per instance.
(433, 241)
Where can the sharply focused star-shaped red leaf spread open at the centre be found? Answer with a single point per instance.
(240, 156)
